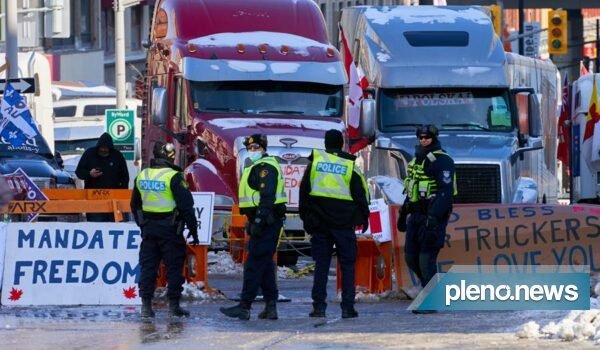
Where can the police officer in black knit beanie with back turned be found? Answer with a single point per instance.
(333, 201)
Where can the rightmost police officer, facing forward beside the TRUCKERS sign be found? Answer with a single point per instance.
(429, 186)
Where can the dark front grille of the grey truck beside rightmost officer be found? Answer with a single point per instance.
(478, 183)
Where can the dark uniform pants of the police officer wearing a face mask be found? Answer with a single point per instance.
(259, 270)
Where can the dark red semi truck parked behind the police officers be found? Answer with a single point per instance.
(218, 71)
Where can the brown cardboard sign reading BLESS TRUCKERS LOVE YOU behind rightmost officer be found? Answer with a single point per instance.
(514, 235)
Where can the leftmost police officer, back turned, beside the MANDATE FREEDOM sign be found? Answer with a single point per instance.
(161, 203)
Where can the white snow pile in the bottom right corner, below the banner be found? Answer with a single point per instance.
(577, 325)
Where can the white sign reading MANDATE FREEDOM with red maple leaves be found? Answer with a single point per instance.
(71, 264)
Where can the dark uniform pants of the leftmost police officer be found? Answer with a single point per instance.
(160, 241)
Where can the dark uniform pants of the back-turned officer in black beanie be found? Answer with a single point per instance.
(322, 248)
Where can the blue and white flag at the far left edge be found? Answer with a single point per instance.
(16, 124)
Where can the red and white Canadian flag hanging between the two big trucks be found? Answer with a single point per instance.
(356, 85)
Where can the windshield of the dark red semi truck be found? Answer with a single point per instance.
(268, 98)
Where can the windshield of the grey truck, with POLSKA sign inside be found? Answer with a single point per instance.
(448, 109)
